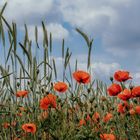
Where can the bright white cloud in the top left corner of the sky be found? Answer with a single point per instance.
(24, 11)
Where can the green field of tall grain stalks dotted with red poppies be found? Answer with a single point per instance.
(36, 105)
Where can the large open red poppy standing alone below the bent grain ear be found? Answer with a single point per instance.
(82, 77)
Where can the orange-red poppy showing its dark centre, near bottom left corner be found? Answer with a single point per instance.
(29, 128)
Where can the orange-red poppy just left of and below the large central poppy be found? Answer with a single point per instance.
(60, 86)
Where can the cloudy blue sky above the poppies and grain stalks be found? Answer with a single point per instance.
(114, 25)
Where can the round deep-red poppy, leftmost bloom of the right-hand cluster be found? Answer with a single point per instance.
(114, 89)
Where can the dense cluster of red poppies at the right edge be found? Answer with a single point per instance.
(124, 93)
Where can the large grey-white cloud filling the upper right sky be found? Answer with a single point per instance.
(116, 22)
